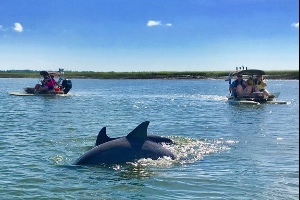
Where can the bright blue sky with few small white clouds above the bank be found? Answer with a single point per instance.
(149, 35)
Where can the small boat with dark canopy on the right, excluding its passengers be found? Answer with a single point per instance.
(253, 98)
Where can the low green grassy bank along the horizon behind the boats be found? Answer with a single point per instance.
(284, 74)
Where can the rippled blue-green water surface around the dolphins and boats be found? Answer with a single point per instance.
(223, 151)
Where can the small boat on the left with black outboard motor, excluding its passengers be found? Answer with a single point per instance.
(62, 86)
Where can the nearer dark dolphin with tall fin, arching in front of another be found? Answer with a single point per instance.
(134, 146)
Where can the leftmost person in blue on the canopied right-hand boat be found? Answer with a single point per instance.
(240, 87)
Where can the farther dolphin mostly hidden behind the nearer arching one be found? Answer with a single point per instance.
(102, 138)
